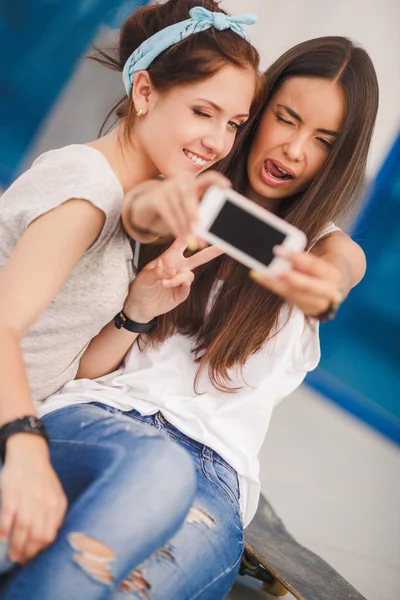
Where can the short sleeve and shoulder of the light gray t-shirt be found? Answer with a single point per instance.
(56, 177)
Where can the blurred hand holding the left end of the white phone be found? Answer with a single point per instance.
(164, 208)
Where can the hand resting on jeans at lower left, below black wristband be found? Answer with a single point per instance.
(33, 503)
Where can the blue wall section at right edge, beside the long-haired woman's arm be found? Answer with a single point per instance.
(360, 366)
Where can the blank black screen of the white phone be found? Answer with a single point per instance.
(246, 232)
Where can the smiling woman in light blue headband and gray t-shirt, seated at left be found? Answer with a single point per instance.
(65, 272)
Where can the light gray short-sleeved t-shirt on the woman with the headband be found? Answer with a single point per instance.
(96, 288)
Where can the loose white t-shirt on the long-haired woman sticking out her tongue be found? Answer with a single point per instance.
(232, 424)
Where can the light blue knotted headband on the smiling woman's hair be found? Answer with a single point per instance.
(201, 19)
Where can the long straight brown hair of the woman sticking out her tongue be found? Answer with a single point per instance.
(244, 315)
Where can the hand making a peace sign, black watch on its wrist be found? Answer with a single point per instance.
(165, 282)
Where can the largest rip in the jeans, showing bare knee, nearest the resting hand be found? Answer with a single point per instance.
(94, 557)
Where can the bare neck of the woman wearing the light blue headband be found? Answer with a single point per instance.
(130, 163)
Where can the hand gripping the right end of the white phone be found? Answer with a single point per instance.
(312, 284)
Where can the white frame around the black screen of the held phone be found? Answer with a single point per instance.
(209, 208)
